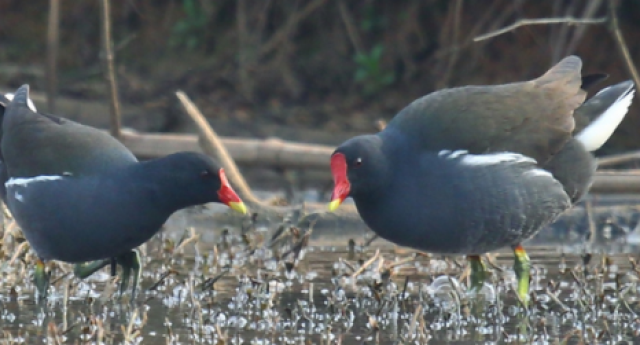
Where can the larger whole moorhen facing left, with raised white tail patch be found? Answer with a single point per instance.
(471, 169)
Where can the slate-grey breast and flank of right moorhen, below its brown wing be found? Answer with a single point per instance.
(463, 208)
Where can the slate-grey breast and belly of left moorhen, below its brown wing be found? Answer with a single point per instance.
(92, 217)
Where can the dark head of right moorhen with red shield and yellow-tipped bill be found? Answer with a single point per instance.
(358, 166)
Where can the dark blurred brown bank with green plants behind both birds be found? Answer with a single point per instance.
(317, 71)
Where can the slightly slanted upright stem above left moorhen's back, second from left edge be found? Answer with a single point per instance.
(110, 74)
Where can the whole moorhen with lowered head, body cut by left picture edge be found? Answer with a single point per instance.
(80, 195)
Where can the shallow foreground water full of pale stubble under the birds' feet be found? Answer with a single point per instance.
(290, 291)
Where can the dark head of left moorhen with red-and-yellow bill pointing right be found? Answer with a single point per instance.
(192, 178)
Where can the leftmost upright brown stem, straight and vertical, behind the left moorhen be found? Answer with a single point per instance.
(53, 43)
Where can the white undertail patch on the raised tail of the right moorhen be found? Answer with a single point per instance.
(599, 131)
